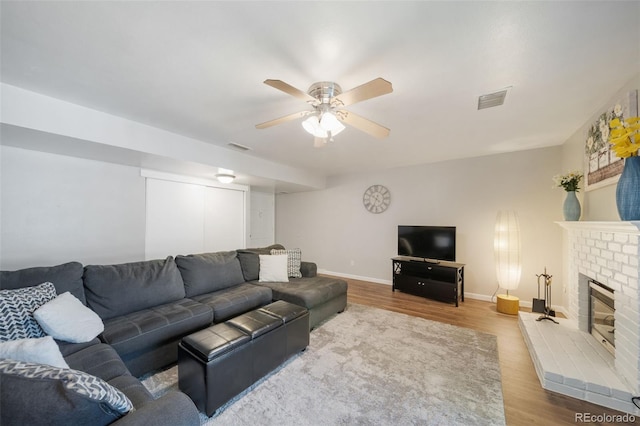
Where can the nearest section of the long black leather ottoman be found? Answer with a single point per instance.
(213, 365)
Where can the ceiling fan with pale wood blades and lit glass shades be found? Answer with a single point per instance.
(327, 117)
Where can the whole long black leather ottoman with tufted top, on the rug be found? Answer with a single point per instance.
(218, 363)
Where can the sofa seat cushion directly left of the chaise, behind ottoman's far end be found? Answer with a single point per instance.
(235, 300)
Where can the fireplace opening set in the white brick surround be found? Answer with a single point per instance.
(601, 313)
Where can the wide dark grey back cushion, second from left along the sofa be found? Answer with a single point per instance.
(115, 290)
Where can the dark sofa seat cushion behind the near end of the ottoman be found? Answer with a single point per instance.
(155, 326)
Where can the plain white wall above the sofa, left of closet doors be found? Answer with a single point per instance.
(57, 209)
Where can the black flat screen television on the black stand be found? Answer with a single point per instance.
(427, 242)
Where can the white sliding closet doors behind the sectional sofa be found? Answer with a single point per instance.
(185, 218)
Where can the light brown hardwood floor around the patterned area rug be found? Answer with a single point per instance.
(525, 401)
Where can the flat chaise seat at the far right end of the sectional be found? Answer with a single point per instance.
(307, 292)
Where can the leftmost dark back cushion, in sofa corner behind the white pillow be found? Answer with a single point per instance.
(65, 277)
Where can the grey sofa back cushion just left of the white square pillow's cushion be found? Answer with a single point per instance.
(208, 272)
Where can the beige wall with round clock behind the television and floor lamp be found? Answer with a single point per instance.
(332, 227)
